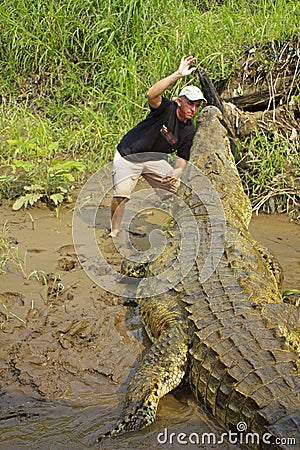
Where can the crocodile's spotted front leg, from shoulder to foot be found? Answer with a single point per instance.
(162, 368)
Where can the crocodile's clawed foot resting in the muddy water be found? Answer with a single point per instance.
(138, 418)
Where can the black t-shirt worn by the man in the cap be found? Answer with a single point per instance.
(160, 132)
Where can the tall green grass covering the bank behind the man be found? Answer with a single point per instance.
(73, 74)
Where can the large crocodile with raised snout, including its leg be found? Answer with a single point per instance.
(220, 329)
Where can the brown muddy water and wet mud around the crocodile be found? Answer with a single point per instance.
(68, 347)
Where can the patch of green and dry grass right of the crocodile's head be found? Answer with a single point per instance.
(271, 173)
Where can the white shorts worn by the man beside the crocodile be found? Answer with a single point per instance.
(126, 174)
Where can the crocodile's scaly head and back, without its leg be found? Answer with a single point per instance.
(239, 369)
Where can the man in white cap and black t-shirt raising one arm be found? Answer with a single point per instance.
(142, 151)
